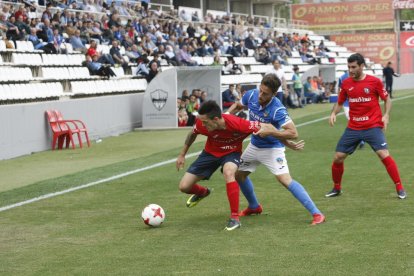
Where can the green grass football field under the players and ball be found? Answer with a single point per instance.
(98, 230)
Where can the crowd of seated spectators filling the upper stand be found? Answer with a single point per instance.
(141, 33)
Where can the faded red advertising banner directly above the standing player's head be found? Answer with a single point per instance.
(378, 47)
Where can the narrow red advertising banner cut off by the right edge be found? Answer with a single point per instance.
(406, 52)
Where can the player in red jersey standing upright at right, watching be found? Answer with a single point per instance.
(366, 122)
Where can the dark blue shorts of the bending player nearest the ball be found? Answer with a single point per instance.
(206, 164)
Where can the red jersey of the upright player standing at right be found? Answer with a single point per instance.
(363, 96)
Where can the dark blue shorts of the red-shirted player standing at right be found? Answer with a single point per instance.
(351, 138)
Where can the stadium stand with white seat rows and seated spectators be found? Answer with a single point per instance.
(23, 66)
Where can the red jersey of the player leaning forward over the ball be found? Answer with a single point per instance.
(224, 141)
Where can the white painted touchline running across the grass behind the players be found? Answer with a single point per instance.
(35, 199)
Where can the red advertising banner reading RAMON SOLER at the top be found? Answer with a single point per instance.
(366, 15)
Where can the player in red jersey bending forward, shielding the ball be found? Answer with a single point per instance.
(225, 134)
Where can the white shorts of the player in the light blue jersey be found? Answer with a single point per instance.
(273, 158)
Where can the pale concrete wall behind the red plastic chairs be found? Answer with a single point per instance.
(24, 128)
